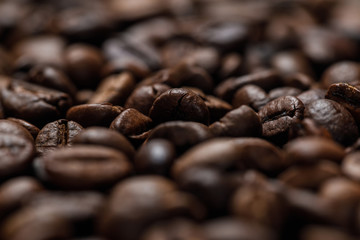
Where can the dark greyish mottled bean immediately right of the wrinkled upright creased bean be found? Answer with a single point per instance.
(335, 118)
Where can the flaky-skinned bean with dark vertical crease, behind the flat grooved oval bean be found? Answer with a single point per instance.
(57, 134)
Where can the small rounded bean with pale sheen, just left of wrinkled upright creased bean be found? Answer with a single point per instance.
(251, 95)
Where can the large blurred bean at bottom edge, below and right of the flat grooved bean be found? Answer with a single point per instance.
(130, 209)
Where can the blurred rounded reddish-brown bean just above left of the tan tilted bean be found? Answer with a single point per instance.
(83, 64)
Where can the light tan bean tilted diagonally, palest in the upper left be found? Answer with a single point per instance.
(114, 89)
